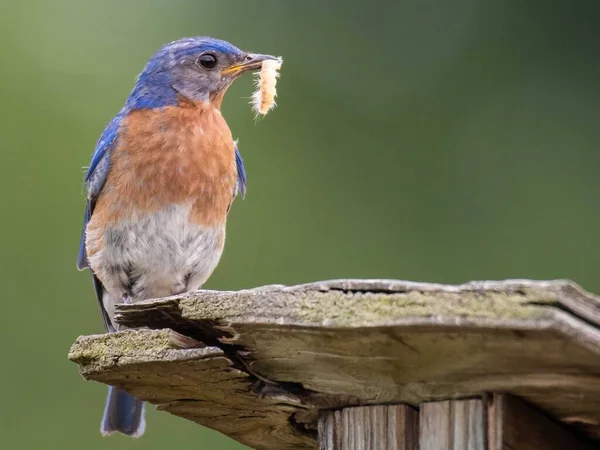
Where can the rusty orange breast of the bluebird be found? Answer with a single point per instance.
(177, 155)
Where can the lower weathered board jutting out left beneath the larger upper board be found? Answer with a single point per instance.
(181, 376)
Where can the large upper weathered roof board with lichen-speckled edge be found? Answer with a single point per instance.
(439, 341)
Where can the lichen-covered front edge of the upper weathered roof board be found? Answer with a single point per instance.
(355, 303)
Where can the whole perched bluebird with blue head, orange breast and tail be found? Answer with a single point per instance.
(159, 187)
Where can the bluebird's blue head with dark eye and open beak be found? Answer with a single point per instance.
(196, 69)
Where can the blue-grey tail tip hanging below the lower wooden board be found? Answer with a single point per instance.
(123, 413)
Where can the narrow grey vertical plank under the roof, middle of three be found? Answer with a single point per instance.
(453, 425)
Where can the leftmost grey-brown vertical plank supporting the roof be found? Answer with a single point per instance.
(379, 427)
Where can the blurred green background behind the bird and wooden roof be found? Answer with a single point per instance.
(422, 140)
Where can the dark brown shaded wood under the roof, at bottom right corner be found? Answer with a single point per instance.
(515, 425)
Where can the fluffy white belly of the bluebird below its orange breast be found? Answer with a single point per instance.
(156, 255)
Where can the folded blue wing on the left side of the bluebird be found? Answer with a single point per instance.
(94, 179)
